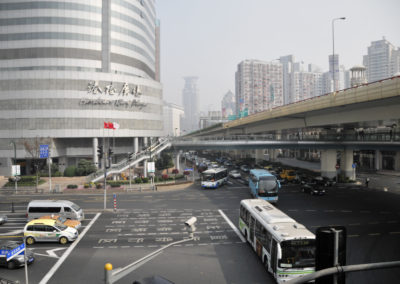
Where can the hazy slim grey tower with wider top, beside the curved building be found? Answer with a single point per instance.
(190, 104)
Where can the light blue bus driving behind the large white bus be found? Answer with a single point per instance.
(264, 185)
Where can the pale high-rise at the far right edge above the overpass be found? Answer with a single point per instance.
(382, 60)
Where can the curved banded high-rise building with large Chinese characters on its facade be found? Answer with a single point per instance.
(69, 66)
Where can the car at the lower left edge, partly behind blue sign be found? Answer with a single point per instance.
(17, 261)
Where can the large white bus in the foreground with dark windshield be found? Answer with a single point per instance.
(286, 248)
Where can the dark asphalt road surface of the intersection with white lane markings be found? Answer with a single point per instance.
(145, 222)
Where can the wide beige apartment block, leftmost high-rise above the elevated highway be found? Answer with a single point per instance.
(259, 86)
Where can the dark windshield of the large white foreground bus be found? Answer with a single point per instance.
(298, 254)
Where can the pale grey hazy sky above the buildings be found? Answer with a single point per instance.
(208, 38)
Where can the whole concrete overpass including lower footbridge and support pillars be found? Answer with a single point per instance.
(365, 117)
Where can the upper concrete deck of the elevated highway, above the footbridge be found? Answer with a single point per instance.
(369, 105)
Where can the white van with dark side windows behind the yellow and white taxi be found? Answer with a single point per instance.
(68, 209)
